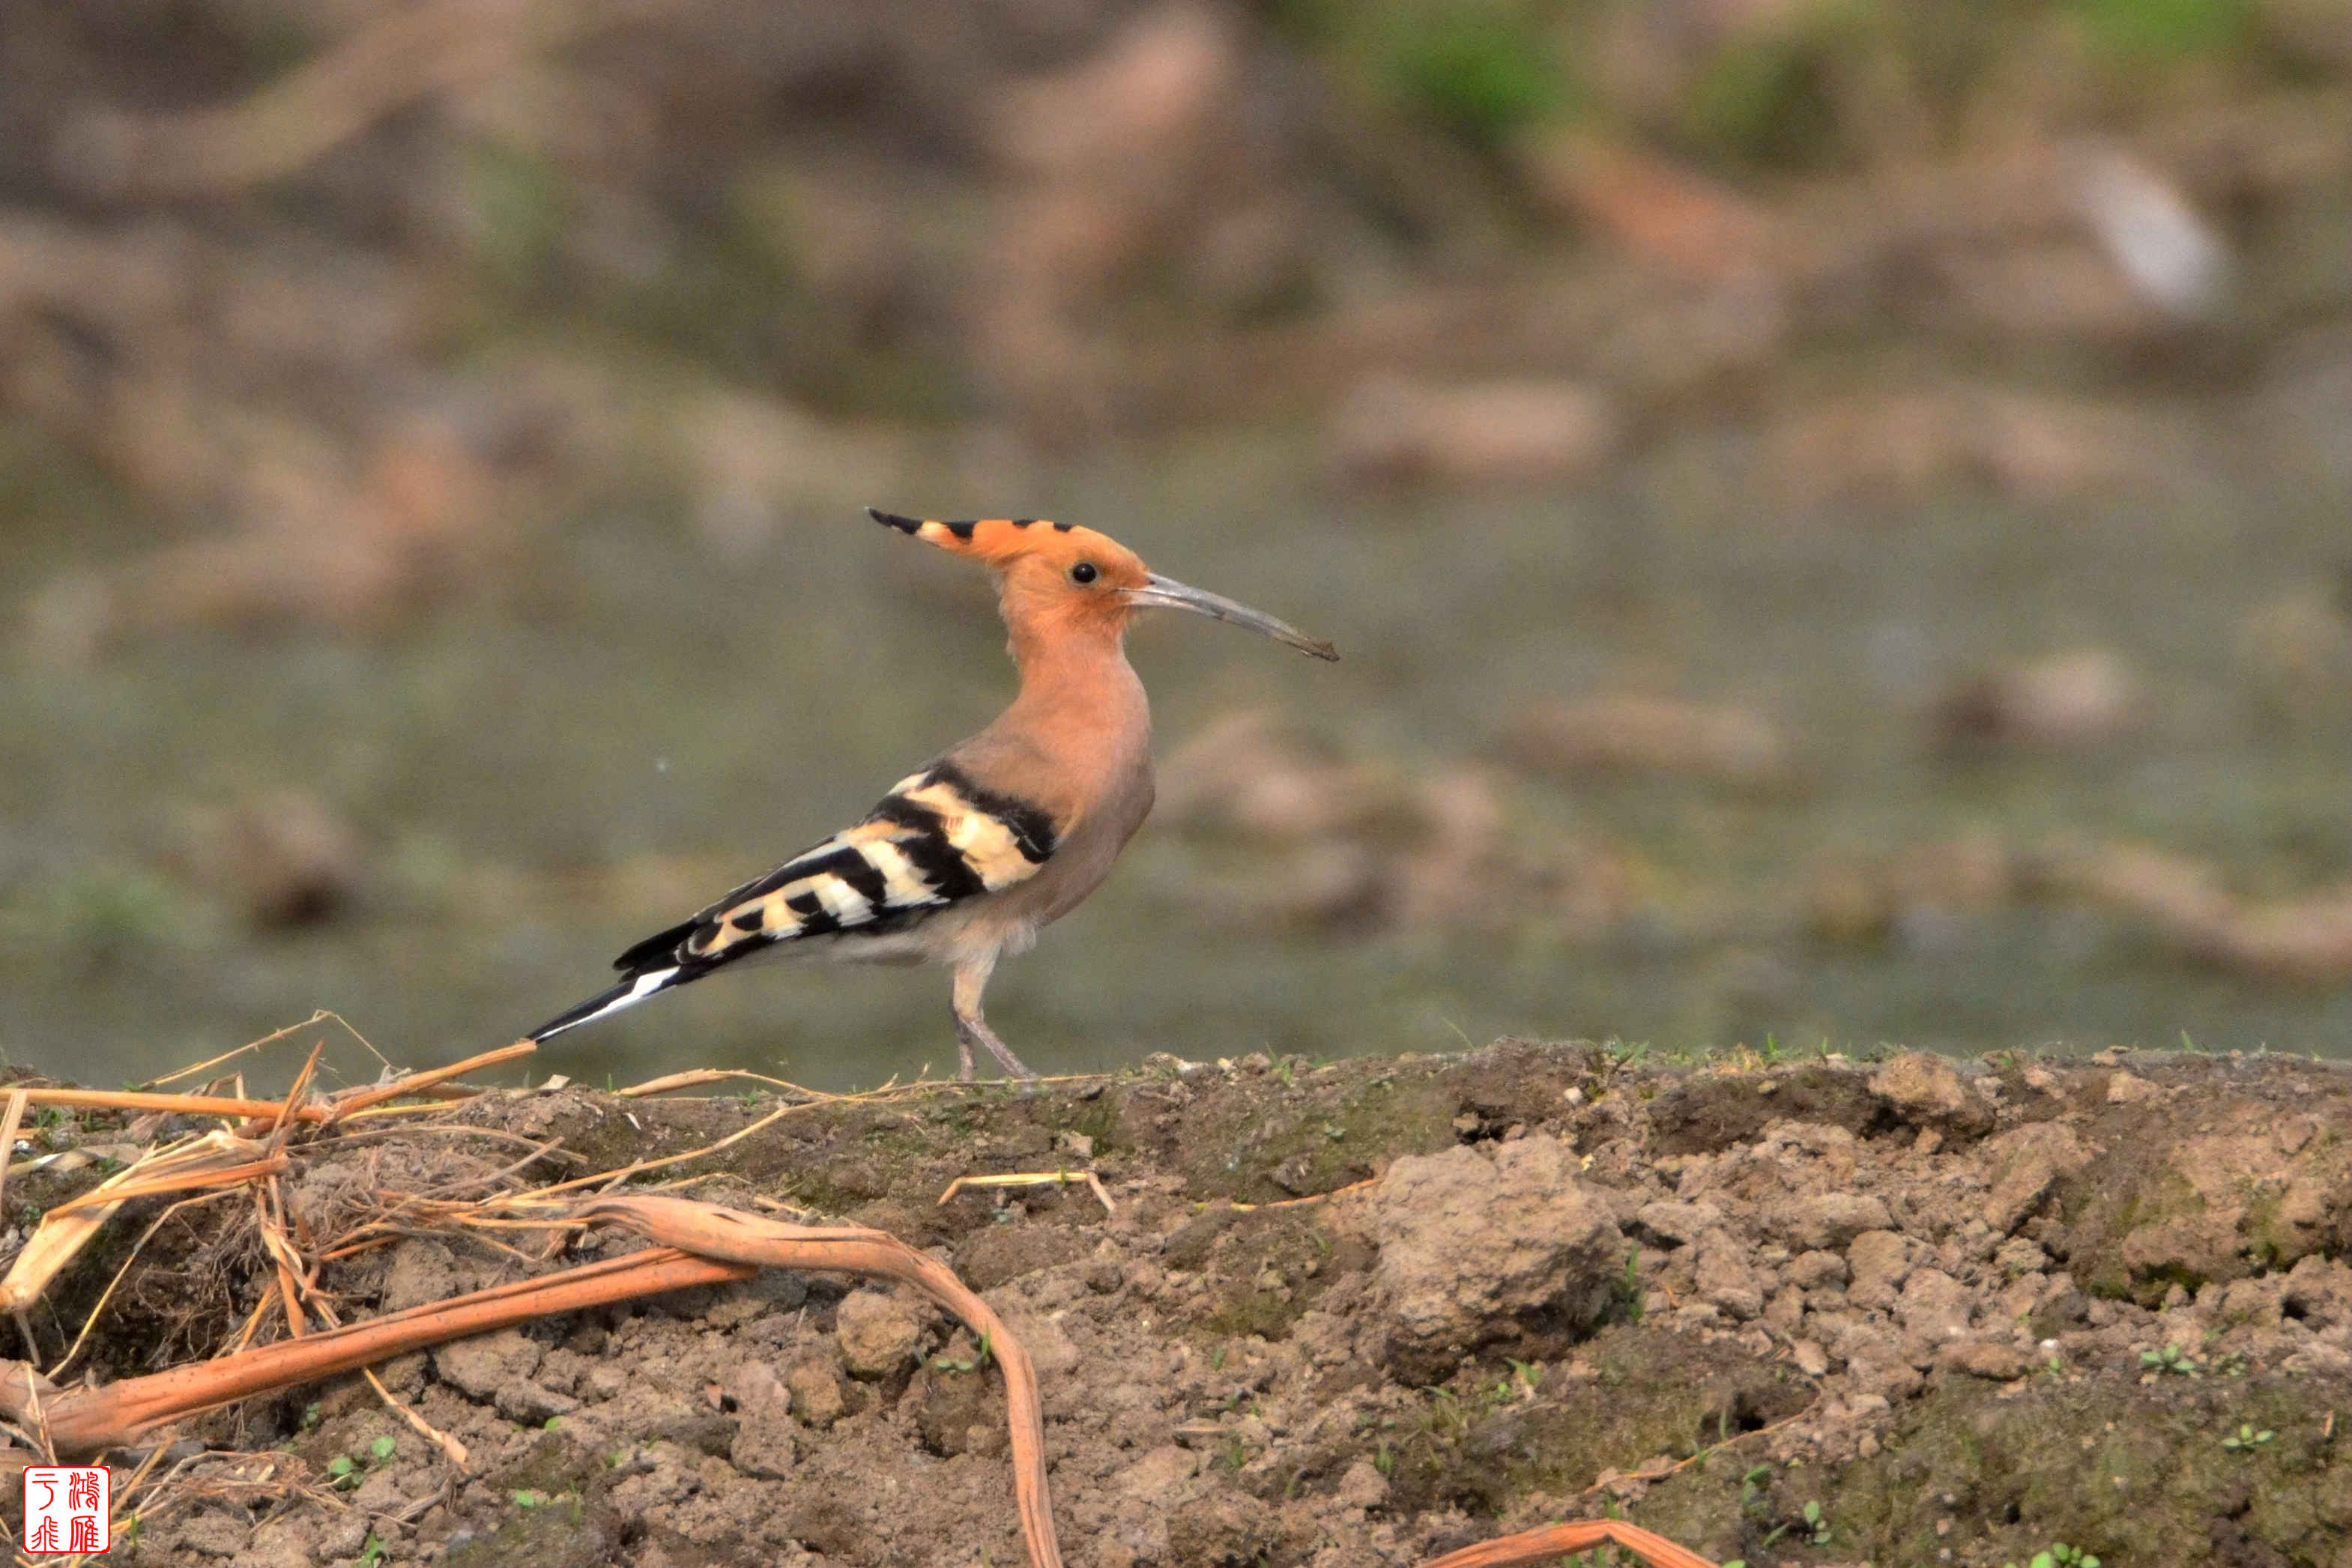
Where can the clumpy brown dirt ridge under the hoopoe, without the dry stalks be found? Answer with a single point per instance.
(1817, 1311)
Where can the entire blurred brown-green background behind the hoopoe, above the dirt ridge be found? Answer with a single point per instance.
(1836, 511)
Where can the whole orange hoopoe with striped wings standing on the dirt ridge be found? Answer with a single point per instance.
(965, 859)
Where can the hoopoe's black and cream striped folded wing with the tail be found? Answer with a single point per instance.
(933, 843)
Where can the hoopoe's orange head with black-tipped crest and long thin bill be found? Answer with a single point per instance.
(1060, 579)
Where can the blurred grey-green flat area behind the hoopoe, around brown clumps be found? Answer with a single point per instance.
(632, 723)
